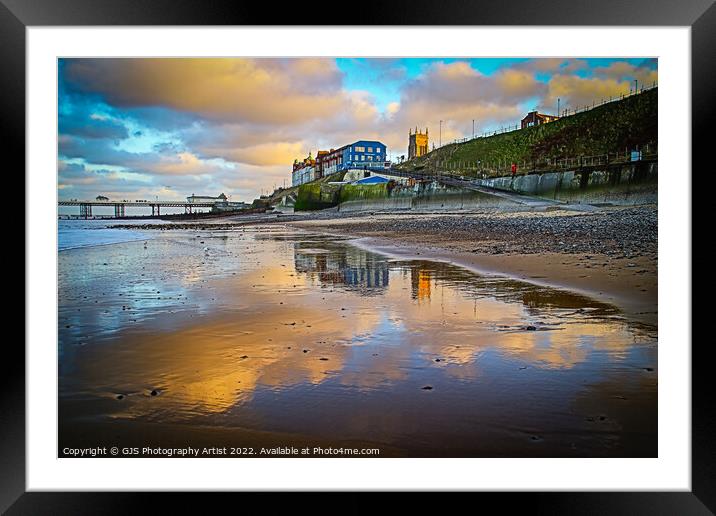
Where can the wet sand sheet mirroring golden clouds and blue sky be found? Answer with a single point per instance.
(309, 335)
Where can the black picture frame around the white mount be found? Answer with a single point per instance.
(17, 15)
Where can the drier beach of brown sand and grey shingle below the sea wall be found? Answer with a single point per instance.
(555, 249)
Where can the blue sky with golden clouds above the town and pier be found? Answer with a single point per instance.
(168, 128)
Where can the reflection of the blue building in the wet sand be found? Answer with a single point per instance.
(343, 266)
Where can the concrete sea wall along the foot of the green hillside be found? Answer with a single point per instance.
(628, 184)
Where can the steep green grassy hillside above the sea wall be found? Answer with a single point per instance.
(610, 128)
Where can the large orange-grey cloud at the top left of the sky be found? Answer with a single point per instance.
(259, 91)
